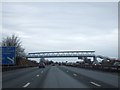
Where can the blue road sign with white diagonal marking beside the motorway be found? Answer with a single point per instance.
(8, 55)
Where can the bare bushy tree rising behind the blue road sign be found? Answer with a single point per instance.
(14, 41)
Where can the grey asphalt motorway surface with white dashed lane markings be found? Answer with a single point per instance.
(58, 77)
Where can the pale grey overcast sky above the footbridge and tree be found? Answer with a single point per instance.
(63, 26)
